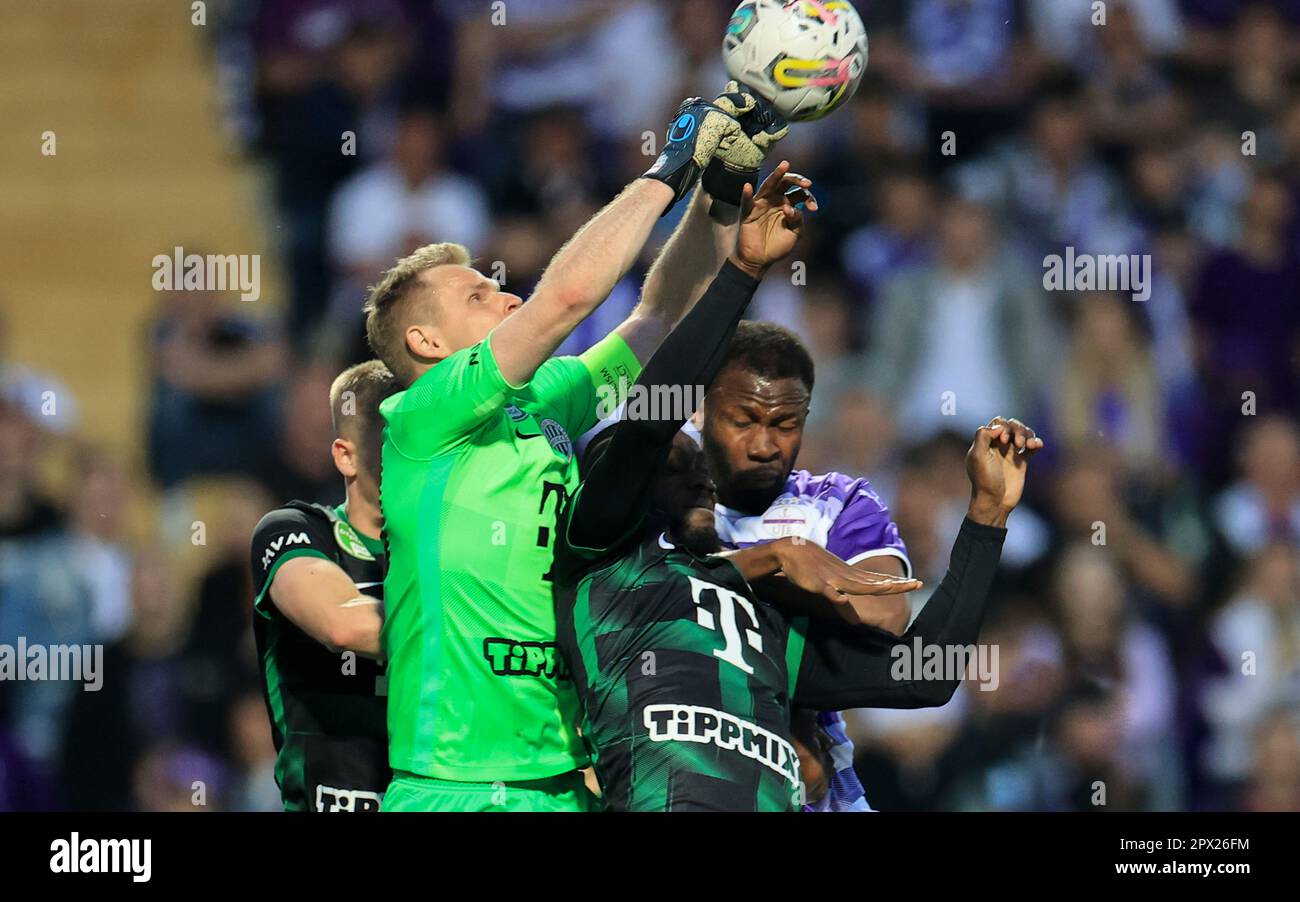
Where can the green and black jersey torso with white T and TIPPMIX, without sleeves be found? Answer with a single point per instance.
(684, 680)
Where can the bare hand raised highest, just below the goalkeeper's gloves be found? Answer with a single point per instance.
(772, 220)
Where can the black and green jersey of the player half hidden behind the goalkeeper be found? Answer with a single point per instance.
(327, 710)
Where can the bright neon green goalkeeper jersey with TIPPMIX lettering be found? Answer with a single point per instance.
(475, 471)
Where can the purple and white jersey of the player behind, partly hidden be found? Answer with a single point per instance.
(850, 521)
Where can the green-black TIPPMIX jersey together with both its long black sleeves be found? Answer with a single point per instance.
(684, 675)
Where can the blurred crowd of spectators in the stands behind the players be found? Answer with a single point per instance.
(1149, 617)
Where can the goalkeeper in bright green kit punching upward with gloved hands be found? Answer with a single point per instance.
(479, 458)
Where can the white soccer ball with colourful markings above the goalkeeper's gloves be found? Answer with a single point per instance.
(807, 58)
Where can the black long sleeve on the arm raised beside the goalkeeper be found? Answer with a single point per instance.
(619, 483)
